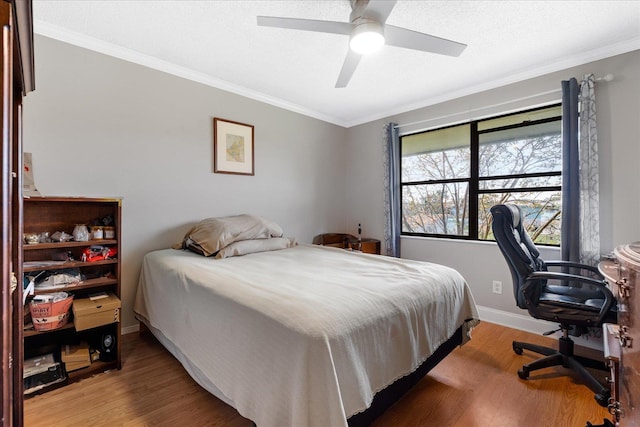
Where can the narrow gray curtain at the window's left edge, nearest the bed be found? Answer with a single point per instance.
(391, 146)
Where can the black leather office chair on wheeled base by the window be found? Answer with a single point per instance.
(577, 298)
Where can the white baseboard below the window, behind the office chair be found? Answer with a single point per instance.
(534, 326)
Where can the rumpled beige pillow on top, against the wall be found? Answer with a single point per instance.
(212, 234)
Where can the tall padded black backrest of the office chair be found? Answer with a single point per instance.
(516, 246)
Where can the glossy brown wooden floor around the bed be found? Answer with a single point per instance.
(475, 386)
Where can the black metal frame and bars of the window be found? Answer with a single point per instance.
(474, 179)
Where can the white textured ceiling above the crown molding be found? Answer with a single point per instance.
(218, 43)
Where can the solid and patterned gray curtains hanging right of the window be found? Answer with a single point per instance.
(580, 240)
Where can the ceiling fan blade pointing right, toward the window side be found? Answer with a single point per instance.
(402, 37)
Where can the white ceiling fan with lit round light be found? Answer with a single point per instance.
(368, 32)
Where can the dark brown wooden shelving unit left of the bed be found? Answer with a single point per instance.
(53, 214)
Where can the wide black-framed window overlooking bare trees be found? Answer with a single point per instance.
(450, 177)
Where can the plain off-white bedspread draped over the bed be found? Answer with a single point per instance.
(302, 336)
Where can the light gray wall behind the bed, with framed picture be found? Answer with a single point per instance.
(101, 127)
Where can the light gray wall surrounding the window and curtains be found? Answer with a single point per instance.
(618, 115)
